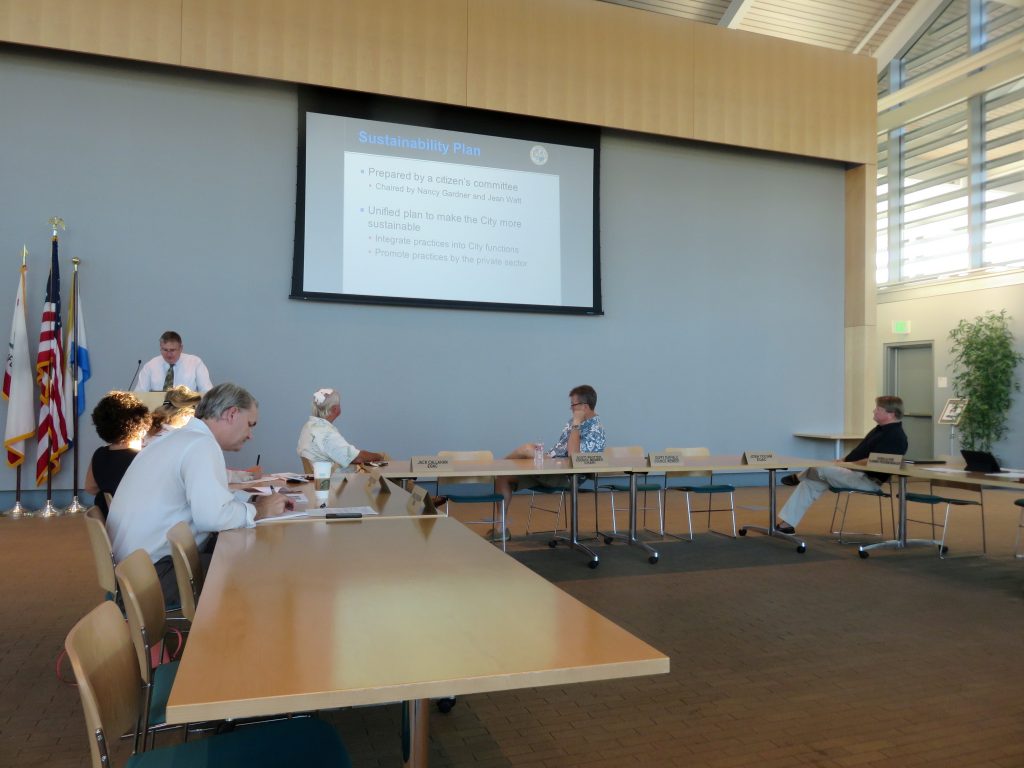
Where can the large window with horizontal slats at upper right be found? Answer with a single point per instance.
(951, 184)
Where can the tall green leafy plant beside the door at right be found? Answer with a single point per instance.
(985, 365)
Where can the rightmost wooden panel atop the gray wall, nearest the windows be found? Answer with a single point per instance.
(759, 92)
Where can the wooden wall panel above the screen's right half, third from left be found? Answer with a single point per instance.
(584, 62)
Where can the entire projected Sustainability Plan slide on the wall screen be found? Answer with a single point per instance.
(412, 215)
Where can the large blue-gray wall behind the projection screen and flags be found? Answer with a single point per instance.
(722, 278)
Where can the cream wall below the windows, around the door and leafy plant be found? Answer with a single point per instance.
(935, 311)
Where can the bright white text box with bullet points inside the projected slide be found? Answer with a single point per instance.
(450, 232)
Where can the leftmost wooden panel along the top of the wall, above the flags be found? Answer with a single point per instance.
(146, 31)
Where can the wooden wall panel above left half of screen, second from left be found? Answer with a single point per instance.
(397, 48)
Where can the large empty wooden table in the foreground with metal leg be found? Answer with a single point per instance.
(313, 614)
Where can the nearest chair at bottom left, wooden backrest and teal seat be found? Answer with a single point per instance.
(107, 671)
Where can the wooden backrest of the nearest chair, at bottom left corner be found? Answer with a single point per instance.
(101, 651)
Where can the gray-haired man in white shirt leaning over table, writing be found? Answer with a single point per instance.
(184, 478)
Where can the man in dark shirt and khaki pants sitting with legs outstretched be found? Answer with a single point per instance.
(887, 438)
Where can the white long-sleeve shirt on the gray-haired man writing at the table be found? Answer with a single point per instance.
(181, 478)
